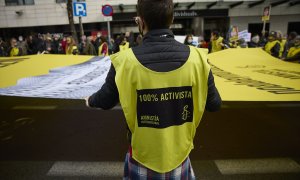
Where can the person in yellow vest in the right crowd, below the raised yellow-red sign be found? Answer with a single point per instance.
(273, 46)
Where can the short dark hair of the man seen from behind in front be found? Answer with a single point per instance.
(158, 14)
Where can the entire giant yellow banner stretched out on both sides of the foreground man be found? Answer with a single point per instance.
(240, 75)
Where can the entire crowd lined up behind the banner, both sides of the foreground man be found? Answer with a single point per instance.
(274, 43)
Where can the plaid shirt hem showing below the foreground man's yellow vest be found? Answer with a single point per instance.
(135, 171)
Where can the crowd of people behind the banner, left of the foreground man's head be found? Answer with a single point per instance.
(66, 44)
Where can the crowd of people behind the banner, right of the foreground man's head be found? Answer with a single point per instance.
(274, 43)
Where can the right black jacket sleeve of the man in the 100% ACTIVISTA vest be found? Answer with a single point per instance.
(213, 101)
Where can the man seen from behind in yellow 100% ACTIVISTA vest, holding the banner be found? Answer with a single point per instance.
(164, 87)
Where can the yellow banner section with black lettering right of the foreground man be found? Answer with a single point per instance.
(253, 75)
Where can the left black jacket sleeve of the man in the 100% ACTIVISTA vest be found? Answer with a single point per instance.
(108, 96)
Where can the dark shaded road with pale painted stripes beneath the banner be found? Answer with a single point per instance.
(62, 139)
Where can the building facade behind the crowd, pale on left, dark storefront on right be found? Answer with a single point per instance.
(198, 17)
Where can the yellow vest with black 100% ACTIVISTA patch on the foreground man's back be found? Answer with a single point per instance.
(162, 109)
